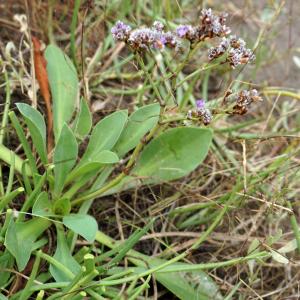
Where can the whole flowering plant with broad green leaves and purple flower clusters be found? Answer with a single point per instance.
(124, 150)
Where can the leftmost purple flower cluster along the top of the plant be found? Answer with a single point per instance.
(145, 38)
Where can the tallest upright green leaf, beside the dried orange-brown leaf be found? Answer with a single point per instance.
(64, 87)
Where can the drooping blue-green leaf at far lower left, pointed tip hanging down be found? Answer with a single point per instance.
(20, 238)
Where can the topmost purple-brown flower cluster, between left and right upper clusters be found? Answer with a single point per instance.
(210, 26)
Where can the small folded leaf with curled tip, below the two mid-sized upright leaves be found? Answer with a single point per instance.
(103, 158)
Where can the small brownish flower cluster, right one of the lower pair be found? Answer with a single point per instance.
(244, 99)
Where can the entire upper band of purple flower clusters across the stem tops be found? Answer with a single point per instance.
(210, 26)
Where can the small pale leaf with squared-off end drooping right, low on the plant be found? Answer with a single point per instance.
(84, 225)
